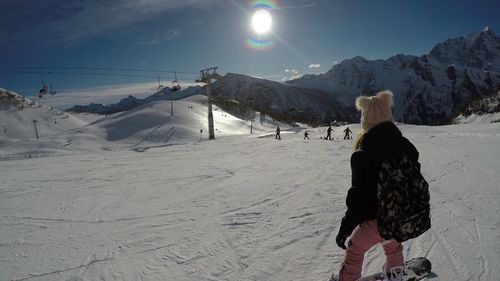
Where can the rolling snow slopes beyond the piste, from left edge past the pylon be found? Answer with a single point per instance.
(142, 127)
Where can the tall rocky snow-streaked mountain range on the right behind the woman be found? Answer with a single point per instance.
(429, 89)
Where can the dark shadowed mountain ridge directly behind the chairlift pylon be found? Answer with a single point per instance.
(240, 93)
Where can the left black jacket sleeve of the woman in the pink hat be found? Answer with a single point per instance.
(356, 195)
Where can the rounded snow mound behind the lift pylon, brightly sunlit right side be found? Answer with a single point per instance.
(152, 123)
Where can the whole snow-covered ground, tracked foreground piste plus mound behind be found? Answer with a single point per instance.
(125, 201)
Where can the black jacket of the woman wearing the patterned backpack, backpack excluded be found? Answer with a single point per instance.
(382, 142)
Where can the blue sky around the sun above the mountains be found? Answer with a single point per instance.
(308, 36)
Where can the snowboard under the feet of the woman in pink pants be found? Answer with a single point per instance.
(415, 269)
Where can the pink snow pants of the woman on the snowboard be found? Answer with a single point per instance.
(364, 237)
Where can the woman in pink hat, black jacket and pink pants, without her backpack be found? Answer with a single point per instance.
(378, 140)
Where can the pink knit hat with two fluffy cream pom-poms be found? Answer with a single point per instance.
(375, 109)
